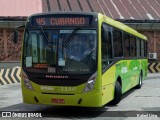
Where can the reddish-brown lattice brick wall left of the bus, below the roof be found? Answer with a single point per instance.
(8, 50)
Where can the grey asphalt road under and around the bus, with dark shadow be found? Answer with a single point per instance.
(142, 104)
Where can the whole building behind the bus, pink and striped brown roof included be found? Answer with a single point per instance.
(142, 15)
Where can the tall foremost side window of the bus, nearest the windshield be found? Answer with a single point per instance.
(106, 46)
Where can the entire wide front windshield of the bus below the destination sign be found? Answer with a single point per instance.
(60, 52)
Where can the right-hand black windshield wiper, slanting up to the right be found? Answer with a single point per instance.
(69, 38)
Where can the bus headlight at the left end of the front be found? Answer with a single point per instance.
(27, 82)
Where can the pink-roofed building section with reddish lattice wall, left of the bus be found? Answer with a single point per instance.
(12, 14)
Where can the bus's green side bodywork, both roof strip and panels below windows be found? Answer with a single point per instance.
(127, 70)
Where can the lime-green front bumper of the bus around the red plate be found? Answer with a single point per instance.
(89, 99)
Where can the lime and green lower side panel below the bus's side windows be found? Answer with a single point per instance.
(128, 71)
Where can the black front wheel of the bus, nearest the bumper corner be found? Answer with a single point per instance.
(117, 94)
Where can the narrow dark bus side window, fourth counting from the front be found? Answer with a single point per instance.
(133, 46)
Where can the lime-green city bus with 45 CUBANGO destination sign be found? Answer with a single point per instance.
(80, 59)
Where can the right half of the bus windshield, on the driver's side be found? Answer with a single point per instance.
(79, 56)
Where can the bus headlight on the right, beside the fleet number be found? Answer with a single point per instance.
(89, 85)
